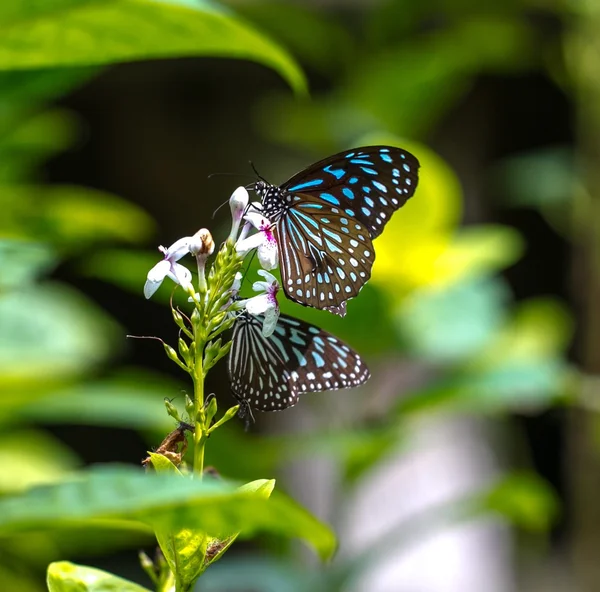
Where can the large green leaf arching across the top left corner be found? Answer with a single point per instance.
(75, 33)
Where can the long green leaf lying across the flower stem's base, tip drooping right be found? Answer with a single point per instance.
(164, 502)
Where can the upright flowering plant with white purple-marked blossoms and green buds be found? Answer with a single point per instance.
(216, 303)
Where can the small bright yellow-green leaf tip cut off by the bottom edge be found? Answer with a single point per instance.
(64, 576)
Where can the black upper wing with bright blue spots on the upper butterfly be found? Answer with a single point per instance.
(368, 183)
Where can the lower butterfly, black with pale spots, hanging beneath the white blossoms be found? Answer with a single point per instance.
(270, 373)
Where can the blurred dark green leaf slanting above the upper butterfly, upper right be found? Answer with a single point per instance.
(409, 88)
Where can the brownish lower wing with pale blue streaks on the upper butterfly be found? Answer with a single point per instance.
(325, 255)
